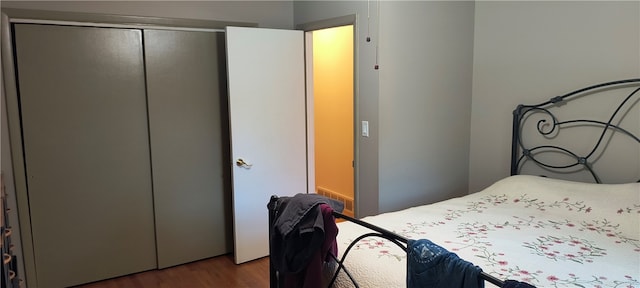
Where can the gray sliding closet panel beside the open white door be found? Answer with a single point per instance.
(186, 79)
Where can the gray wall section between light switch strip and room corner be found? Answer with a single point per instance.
(426, 58)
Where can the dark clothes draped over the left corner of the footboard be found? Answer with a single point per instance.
(303, 232)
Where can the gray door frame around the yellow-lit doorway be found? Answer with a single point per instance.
(308, 28)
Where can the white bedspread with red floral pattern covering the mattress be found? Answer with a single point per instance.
(549, 233)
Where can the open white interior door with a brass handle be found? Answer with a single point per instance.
(267, 119)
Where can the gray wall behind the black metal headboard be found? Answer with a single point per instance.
(528, 52)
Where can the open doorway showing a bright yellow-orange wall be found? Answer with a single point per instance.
(330, 60)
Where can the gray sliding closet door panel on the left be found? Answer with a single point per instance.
(84, 120)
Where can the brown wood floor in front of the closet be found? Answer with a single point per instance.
(219, 271)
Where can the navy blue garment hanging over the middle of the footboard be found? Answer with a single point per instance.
(429, 265)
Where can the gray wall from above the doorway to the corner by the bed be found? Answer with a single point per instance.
(417, 104)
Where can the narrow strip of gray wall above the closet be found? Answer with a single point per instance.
(267, 14)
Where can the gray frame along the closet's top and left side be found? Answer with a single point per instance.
(9, 16)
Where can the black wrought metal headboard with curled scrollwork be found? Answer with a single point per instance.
(548, 127)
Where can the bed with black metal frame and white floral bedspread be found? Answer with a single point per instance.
(530, 229)
